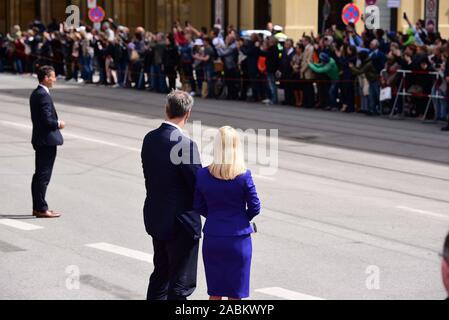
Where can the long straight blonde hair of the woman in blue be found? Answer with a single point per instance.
(229, 160)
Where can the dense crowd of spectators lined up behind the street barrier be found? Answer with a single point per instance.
(339, 70)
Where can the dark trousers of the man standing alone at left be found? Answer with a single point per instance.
(45, 160)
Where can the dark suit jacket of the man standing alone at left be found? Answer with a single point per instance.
(45, 119)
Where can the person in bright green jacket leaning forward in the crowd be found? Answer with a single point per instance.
(329, 67)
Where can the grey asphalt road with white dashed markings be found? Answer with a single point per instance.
(358, 208)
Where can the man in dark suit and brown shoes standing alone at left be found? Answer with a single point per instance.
(46, 138)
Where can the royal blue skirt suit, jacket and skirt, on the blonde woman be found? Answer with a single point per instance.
(229, 207)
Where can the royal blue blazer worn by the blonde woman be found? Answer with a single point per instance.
(229, 206)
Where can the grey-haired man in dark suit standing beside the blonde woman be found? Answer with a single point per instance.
(170, 163)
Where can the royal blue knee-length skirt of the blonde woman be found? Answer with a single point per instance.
(227, 262)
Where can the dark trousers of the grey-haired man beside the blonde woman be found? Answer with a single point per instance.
(175, 268)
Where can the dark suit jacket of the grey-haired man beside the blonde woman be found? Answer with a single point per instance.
(170, 185)
